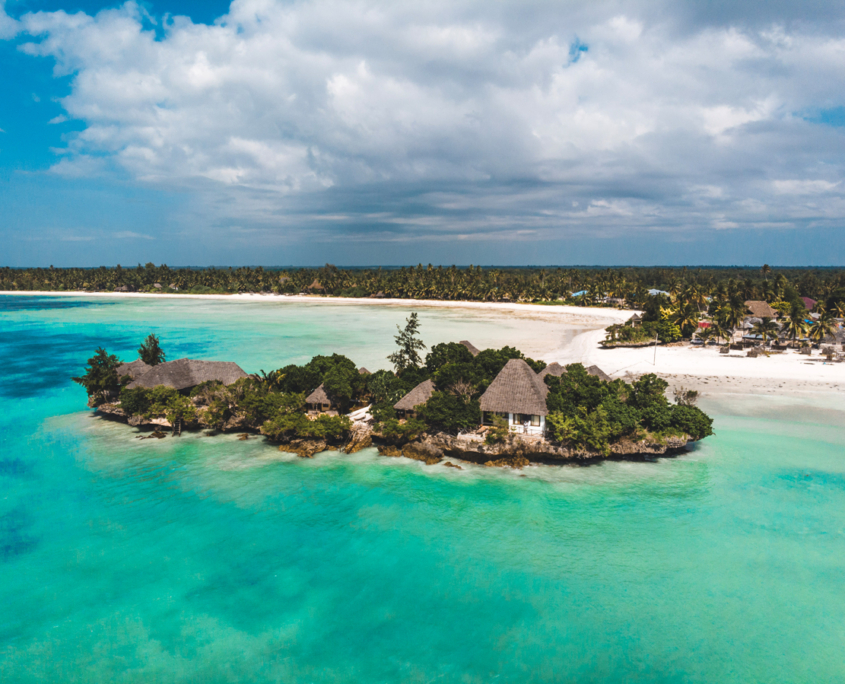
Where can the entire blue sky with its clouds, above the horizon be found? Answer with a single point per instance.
(536, 132)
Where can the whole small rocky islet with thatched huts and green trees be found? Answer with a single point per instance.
(494, 407)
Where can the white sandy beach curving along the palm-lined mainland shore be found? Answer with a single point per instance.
(701, 368)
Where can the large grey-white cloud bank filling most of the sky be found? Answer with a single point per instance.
(396, 120)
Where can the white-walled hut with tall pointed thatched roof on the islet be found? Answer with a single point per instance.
(518, 395)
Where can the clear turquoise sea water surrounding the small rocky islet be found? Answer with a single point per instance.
(214, 560)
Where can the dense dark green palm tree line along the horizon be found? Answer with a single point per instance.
(447, 283)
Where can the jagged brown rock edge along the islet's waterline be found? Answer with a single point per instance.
(516, 451)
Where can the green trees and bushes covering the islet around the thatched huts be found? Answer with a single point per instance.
(585, 412)
